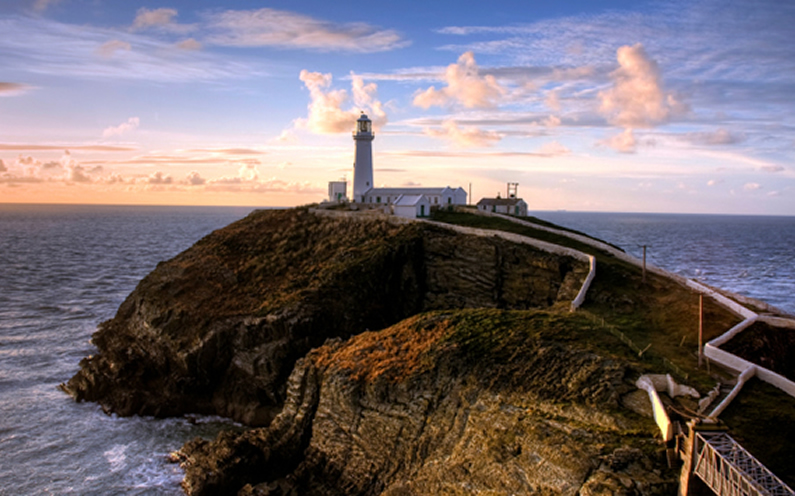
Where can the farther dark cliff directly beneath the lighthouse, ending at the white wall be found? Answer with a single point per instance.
(219, 328)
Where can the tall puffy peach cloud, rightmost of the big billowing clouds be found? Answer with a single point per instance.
(637, 97)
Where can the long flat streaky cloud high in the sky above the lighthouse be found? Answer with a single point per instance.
(279, 28)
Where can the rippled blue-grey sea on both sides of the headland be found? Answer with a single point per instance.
(65, 268)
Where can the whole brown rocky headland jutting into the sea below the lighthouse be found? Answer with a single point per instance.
(376, 356)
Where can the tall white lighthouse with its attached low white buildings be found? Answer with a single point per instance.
(365, 193)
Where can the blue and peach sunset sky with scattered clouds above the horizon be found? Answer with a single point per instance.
(632, 106)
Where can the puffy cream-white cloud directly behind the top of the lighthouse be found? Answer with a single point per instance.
(326, 114)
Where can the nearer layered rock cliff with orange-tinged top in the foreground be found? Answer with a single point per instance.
(466, 402)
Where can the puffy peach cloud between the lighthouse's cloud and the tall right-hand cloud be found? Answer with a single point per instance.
(465, 86)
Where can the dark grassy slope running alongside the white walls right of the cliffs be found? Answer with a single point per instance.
(664, 314)
